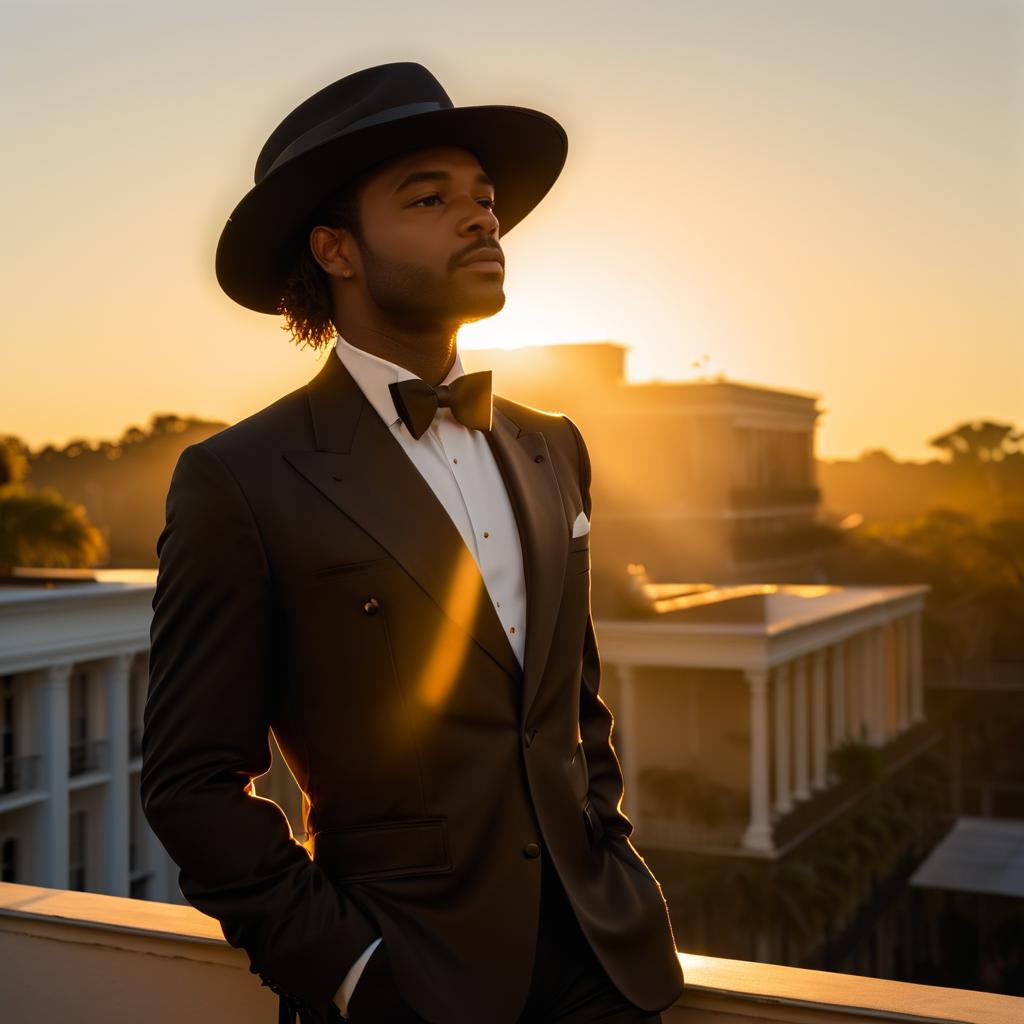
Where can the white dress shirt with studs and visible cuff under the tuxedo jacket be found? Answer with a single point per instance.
(460, 467)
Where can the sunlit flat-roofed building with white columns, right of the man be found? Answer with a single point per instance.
(752, 688)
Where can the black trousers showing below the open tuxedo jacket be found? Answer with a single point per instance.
(569, 986)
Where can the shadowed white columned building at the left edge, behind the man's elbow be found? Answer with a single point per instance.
(74, 671)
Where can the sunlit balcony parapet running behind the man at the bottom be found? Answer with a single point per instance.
(167, 964)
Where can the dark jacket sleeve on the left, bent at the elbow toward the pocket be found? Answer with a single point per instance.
(206, 738)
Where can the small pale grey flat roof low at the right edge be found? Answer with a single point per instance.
(977, 856)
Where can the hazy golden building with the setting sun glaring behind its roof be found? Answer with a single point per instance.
(697, 479)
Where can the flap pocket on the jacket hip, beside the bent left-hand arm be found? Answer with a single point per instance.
(393, 849)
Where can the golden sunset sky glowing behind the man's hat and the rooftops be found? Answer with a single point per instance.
(822, 196)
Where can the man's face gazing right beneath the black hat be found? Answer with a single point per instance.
(422, 216)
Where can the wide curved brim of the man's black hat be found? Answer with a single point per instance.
(523, 152)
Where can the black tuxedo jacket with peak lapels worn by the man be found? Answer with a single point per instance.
(311, 583)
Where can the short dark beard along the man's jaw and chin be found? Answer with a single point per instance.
(413, 295)
